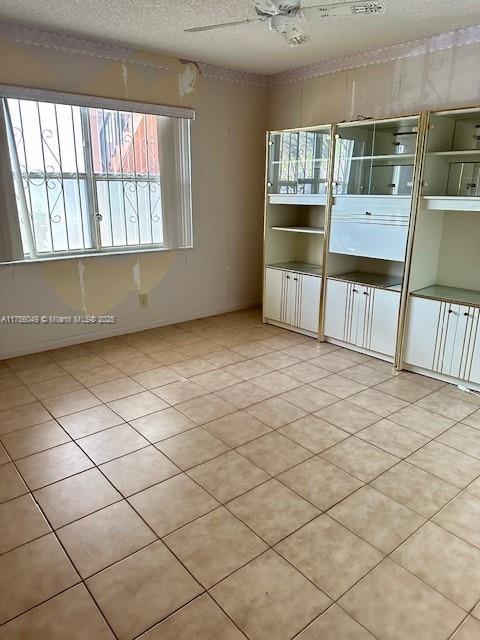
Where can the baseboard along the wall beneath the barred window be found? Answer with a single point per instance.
(111, 331)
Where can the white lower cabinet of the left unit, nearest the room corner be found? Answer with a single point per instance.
(292, 299)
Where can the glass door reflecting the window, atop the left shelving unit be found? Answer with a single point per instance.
(298, 162)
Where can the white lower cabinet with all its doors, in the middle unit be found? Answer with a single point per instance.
(362, 316)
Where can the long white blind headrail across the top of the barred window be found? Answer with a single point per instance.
(44, 95)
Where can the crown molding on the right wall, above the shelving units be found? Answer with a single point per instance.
(449, 40)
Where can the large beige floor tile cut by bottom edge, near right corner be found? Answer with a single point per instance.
(395, 605)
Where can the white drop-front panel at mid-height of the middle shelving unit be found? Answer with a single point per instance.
(370, 227)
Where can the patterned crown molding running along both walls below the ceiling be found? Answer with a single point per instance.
(73, 44)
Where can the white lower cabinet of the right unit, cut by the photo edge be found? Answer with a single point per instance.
(444, 337)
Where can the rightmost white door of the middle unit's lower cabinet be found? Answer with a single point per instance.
(382, 312)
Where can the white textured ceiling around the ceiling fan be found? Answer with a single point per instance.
(157, 25)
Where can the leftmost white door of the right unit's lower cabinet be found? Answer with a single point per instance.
(422, 331)
